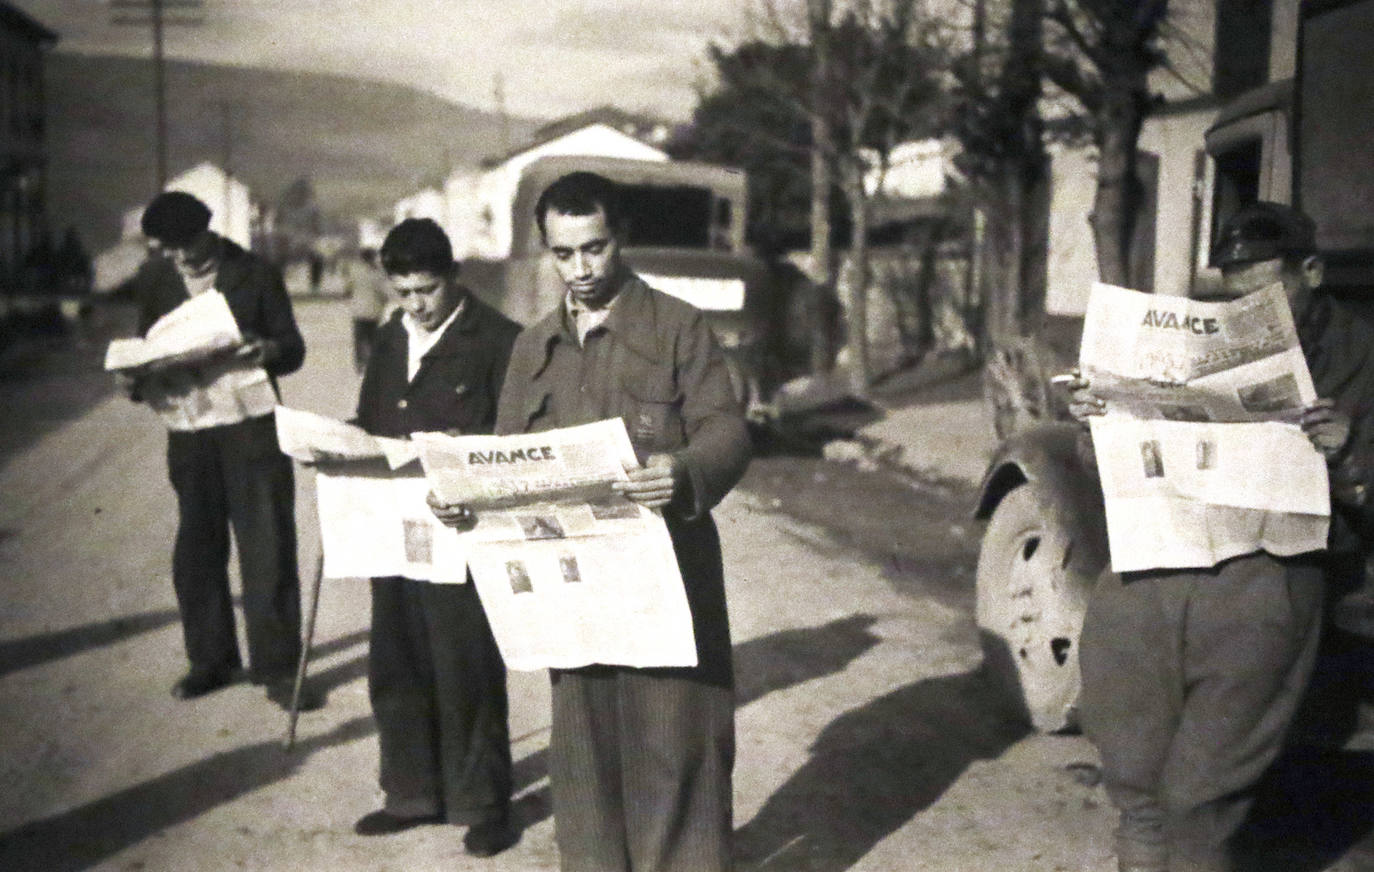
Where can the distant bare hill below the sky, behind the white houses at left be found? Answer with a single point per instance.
(363, 144)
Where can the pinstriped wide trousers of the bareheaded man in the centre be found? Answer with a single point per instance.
(641, 766)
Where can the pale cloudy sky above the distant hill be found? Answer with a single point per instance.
(553, 57)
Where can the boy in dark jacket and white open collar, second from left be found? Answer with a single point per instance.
(435, 675)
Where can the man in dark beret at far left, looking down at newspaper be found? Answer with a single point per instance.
(223, 457)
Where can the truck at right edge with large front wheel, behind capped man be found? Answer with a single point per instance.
(1300, 138)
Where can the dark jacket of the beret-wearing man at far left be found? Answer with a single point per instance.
(252, 288)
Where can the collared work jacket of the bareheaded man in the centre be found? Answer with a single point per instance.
(656, 366)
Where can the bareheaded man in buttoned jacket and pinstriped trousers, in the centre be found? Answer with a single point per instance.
(641, 760)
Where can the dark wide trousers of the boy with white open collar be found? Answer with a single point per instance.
(438, 686)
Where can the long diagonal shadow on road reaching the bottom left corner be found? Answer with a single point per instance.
(89, 834)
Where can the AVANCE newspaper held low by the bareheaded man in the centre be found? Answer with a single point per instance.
(570, 572)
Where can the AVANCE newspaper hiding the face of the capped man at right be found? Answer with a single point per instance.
(1200, 454)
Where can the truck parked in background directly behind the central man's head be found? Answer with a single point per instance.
(685, 237)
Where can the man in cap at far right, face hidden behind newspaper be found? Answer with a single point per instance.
(1192, 678)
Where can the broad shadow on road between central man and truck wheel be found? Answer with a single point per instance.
(872, 771)
